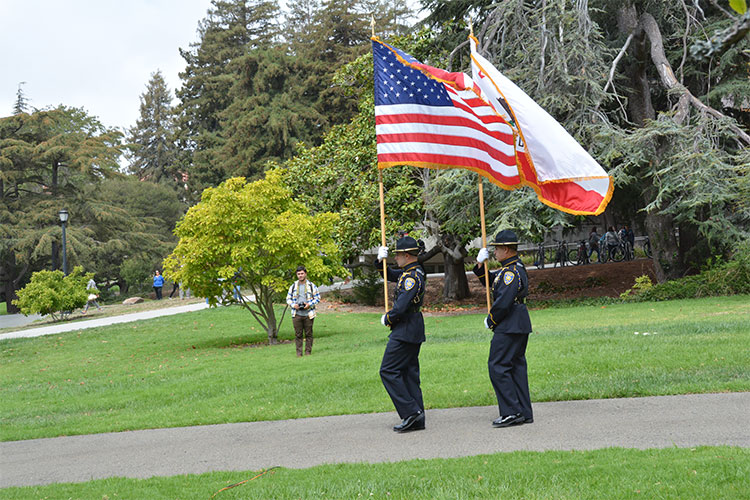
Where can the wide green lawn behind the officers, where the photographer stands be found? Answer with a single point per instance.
(198, 368)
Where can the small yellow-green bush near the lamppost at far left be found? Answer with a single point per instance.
(50, 292)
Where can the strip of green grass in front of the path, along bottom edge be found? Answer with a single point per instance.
(614, 473)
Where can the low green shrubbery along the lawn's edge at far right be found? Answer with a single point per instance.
(730, 278)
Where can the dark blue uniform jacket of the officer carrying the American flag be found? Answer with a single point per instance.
(405, 318)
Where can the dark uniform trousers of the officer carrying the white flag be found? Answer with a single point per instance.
(508, 373)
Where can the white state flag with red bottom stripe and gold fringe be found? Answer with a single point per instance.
(550, 161)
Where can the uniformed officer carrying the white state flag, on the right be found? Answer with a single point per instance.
(510, 323)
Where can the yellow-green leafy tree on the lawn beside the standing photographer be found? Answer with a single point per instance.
(253, 235)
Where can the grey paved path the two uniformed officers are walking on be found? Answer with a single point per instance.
(652, 422)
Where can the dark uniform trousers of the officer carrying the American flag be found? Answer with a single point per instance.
(399, 372)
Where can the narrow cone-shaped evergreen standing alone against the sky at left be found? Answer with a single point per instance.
(151, 139)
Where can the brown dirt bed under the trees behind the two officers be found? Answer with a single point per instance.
(569, 282)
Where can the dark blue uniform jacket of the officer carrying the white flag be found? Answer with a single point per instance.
(510, 286)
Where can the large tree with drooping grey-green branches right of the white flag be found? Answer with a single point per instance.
(618, 76)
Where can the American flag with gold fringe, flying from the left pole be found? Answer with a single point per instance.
(427, 117)
